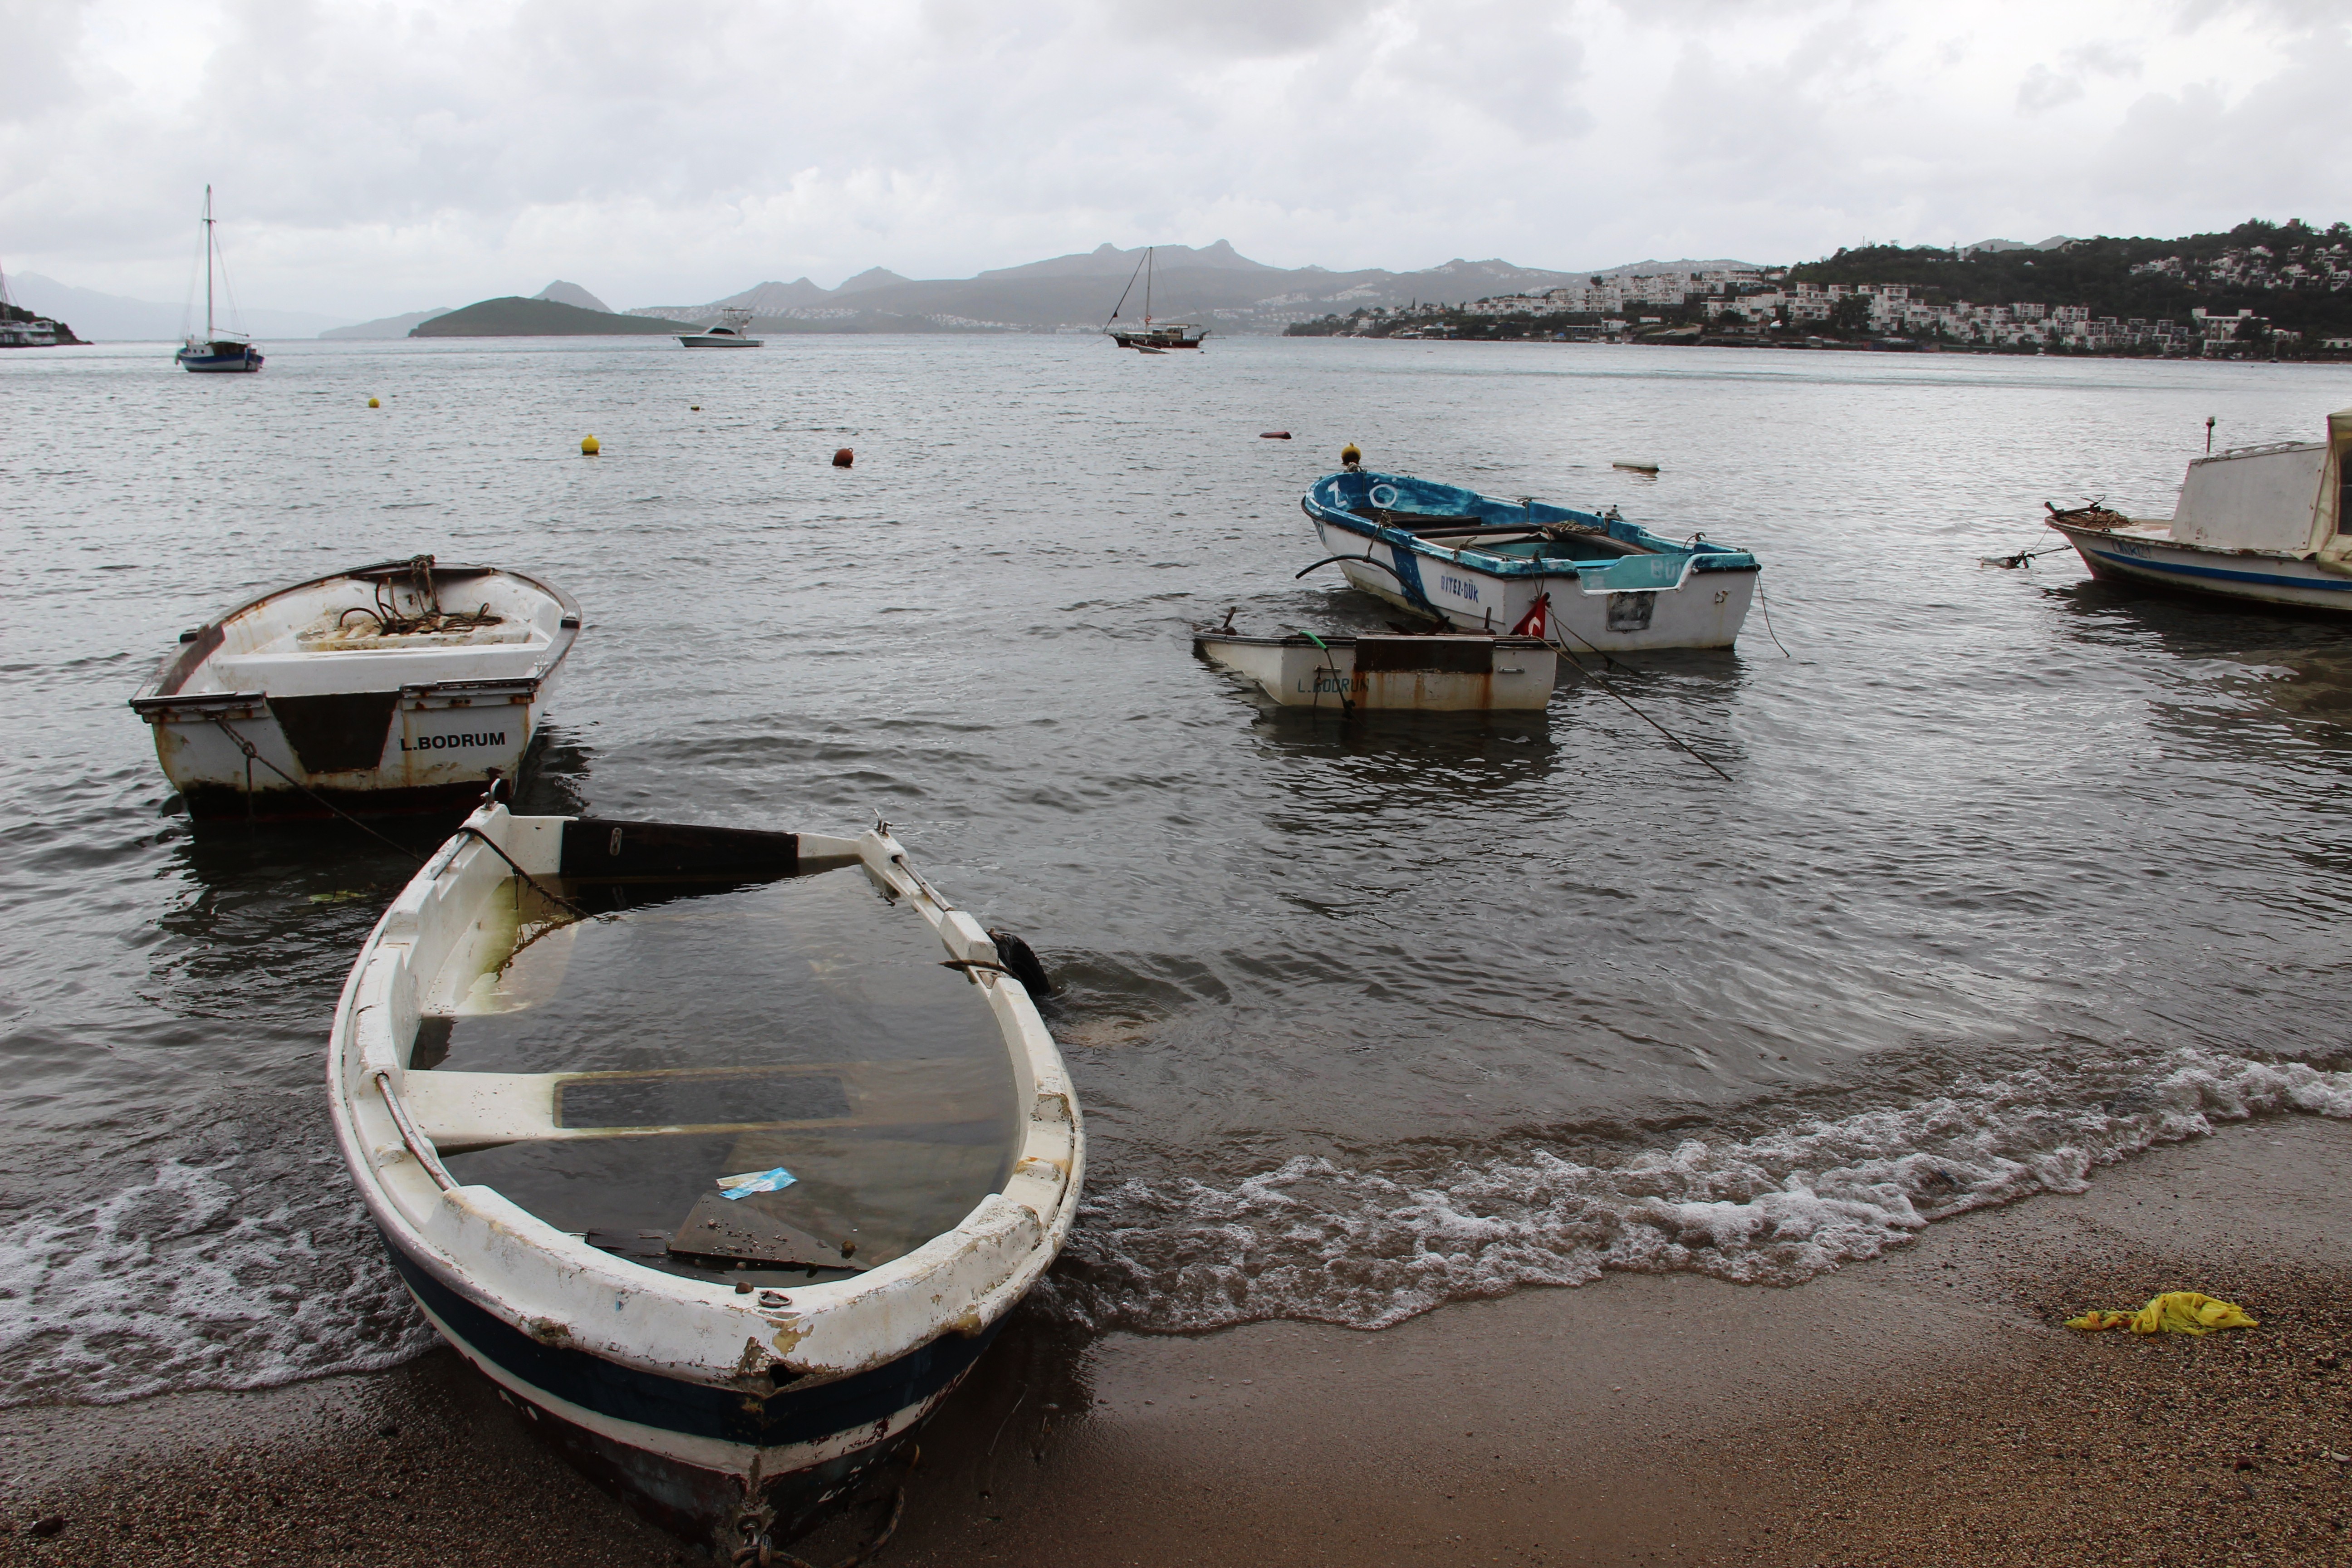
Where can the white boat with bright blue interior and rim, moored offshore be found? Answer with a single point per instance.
(1483, 565)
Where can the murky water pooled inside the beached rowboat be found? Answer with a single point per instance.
(799, 1024)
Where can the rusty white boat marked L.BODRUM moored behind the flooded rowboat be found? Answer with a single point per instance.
(392, 688)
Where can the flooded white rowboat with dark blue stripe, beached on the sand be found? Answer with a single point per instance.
(723, 1153)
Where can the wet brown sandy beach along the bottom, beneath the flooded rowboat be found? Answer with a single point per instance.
(1925, 1407)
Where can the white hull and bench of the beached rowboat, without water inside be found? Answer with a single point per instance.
(719, 1409)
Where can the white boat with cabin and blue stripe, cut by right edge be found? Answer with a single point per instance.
(2266, 525)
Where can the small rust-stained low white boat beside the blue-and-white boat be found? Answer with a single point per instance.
(1391, 674)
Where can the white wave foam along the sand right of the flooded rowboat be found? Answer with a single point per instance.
(1321, 1242)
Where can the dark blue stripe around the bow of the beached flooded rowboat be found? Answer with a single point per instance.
(671, 1405)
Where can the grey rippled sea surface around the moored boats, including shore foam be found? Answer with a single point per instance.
(2014, 873)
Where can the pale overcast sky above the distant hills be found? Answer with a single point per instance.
(380, 156)
